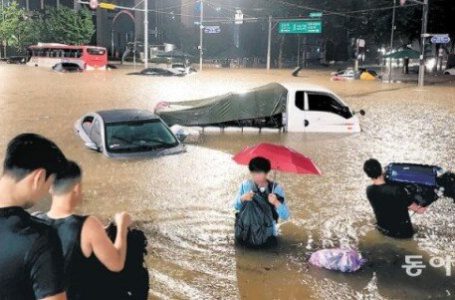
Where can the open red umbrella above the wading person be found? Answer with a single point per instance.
(281, 158)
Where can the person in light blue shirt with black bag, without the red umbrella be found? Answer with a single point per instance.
(260, 203)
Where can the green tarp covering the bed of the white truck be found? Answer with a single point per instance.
(261, 102)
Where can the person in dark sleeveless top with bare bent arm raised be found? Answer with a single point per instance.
(83, 238)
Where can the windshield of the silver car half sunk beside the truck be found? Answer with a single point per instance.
(139, 136)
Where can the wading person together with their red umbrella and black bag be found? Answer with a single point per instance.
(260, 203)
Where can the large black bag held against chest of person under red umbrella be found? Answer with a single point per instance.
(255, 221)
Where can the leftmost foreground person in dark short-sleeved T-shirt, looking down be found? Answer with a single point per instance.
(31, 260)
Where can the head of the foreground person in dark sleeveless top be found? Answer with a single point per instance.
(68, 183)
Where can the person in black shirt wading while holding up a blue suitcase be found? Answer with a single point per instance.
(390, 203)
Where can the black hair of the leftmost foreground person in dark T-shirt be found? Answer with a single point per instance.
(28, 152)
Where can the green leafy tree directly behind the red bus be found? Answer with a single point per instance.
(67, 26)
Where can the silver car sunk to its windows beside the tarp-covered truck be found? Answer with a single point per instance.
(127, 133)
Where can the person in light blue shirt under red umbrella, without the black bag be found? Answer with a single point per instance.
(260, 184)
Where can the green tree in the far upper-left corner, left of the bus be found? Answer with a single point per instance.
(17, 28)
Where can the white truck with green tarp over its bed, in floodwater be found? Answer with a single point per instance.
(293, 107)
